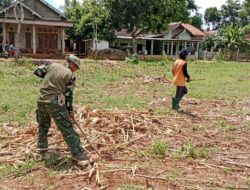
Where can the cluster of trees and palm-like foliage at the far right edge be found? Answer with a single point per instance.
(232, 23)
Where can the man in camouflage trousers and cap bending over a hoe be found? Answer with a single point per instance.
(55, 101)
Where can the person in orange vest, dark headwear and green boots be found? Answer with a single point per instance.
(180, 77)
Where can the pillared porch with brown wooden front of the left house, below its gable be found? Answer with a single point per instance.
(36, 37)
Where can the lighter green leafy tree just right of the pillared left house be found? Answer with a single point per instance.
(87, 17)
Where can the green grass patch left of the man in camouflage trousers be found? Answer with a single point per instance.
(18, 92)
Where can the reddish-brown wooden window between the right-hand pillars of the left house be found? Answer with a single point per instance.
(47, 41)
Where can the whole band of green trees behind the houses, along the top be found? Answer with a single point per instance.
(102, 18)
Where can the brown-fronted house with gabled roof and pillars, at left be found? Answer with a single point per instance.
(42, 30)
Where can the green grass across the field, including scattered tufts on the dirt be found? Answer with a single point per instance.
(104, 87)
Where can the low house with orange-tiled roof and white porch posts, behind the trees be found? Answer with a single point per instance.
(179, 35)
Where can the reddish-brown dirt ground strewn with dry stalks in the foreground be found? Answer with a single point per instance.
(207, 148)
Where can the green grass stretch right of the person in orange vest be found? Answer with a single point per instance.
(223, 80)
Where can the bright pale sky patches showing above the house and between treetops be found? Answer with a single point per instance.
(203, 4)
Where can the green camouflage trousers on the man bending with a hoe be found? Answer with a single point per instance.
(59, 114)
